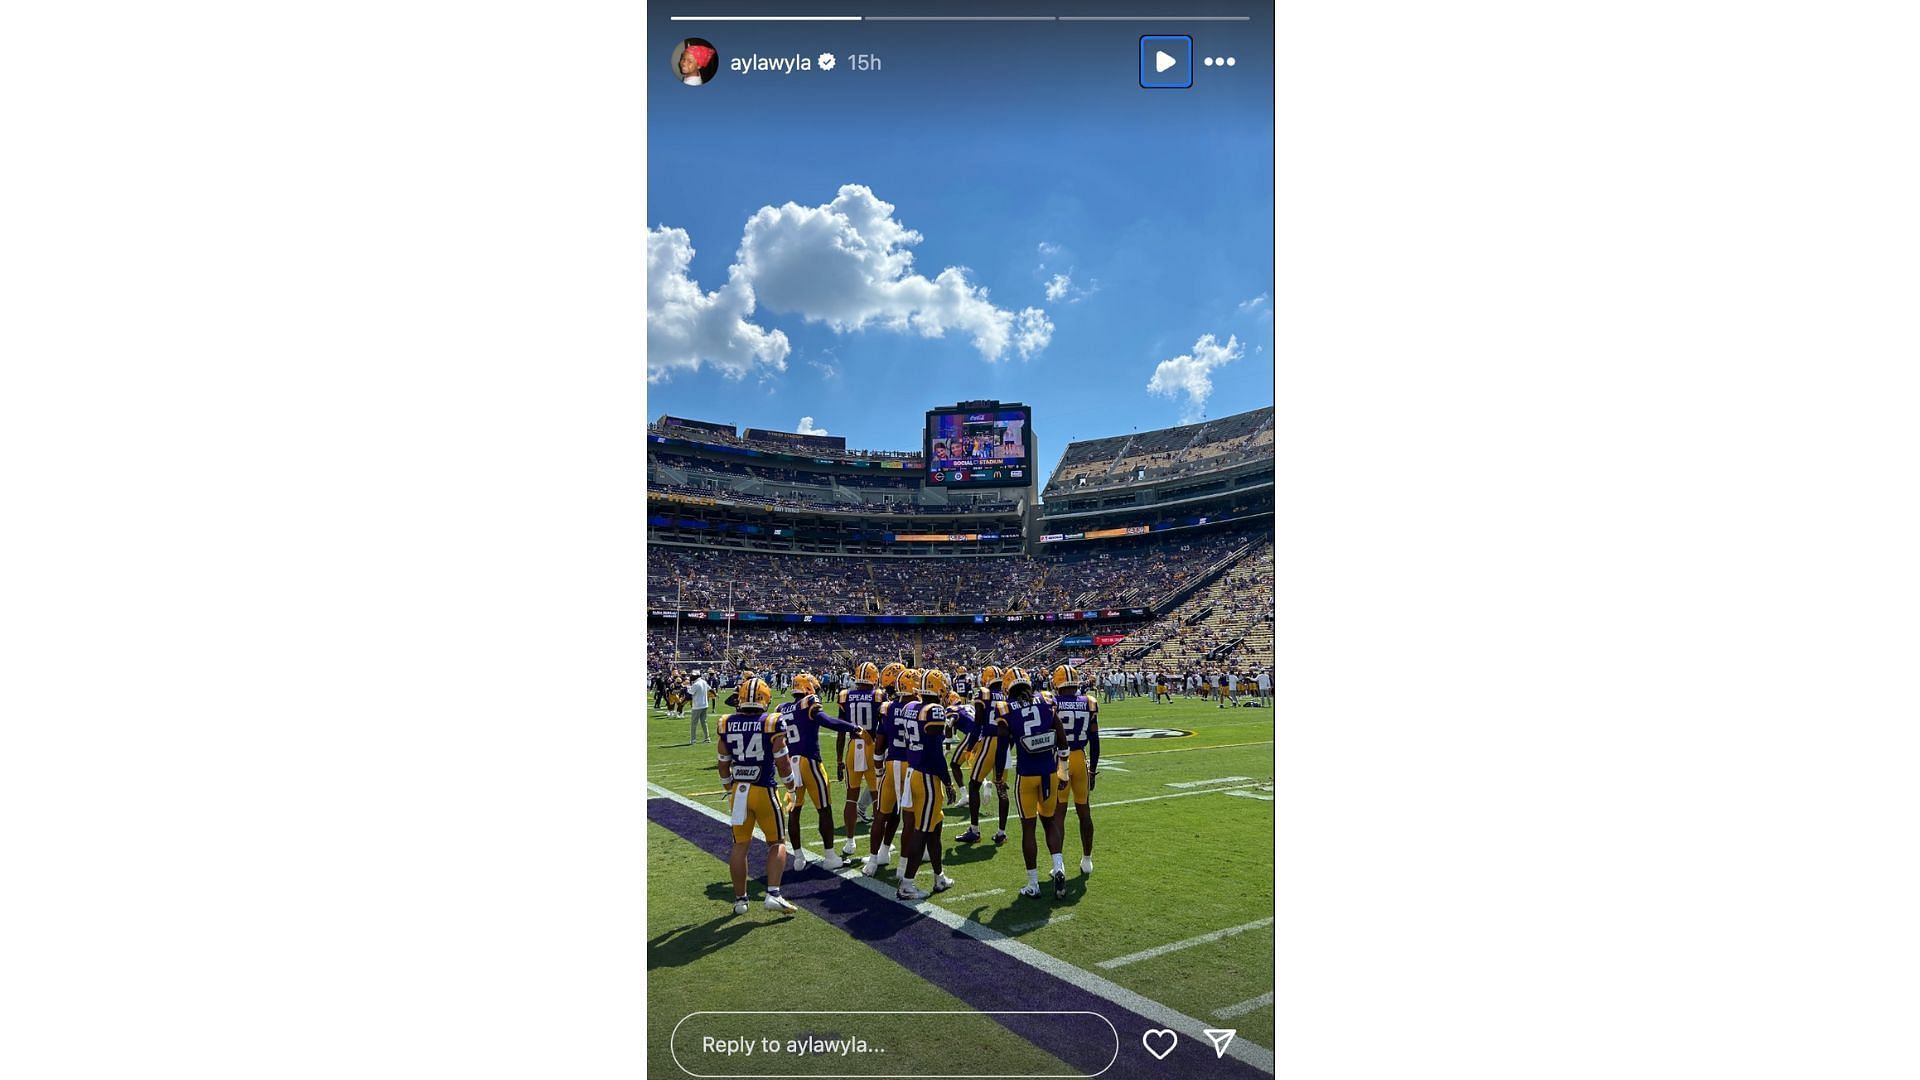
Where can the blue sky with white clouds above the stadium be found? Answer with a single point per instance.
(1078, 239)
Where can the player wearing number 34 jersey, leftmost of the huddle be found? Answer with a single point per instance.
(754, 758)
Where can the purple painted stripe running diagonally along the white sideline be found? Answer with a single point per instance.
(969, 970)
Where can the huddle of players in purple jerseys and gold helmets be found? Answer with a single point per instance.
(892, 739)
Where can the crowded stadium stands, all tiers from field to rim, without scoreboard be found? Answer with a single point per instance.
(813, 531)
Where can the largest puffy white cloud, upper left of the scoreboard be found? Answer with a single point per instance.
(848, 264)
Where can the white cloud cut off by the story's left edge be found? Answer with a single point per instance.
(688, 328)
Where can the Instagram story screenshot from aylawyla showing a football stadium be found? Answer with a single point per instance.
(961, 543)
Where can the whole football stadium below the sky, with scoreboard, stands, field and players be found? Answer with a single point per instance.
(907, 620)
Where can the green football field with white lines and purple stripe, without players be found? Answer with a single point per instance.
(1174, 927)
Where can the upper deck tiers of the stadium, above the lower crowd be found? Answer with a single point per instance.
(713, 487)
